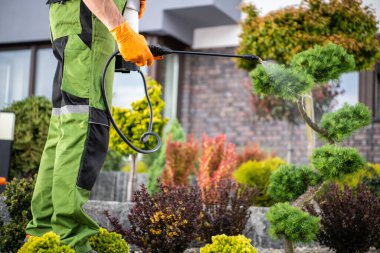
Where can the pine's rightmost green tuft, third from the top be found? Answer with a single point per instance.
(342, 123)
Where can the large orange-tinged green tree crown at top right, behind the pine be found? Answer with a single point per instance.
(281, 34)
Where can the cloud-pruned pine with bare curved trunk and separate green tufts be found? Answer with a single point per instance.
(310, 69)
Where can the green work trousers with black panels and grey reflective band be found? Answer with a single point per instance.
(78, 135)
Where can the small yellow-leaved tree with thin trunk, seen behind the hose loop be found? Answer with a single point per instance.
(133, 123)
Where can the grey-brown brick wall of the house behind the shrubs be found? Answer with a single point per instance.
(216, 98)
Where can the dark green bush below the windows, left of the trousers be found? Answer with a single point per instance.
(32, 124)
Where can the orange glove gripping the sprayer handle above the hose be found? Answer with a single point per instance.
(132, 46)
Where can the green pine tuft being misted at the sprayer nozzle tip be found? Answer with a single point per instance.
(280, 81)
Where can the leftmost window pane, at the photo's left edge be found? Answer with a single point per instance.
(14, 76)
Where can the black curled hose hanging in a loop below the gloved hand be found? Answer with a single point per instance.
(144, 137)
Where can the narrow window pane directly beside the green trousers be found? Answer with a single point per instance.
(46, 65)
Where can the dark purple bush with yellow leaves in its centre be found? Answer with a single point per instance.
(166, 222)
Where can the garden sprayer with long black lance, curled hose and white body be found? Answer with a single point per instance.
(121, 66)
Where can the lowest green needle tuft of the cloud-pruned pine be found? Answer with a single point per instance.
(292, 223)
